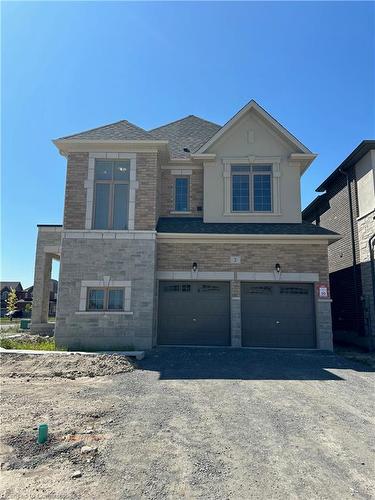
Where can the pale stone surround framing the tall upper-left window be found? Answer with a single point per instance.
(90, 186)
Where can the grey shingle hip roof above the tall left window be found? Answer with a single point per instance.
(122, 130)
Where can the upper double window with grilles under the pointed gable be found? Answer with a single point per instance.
(251, 188)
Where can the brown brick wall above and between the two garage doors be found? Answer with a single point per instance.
(255, 258)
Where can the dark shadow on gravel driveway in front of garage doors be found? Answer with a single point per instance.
(246, 364)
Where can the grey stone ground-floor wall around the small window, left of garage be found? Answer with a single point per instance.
(92, 259)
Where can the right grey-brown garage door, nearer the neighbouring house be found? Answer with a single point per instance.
(278, 315)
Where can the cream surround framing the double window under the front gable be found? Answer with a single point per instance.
(252, 161)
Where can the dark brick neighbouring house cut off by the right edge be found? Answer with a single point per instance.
(348, 207)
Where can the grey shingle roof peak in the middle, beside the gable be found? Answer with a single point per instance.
(190, 132)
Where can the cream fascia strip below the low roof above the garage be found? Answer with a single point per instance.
(253, 238)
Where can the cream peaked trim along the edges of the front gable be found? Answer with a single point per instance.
(266, 116)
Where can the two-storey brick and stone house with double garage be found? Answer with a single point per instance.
(187, 234)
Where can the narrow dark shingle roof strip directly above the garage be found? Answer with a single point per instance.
(196, 225)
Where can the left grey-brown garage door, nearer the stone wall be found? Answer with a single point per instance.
(194, 313)
